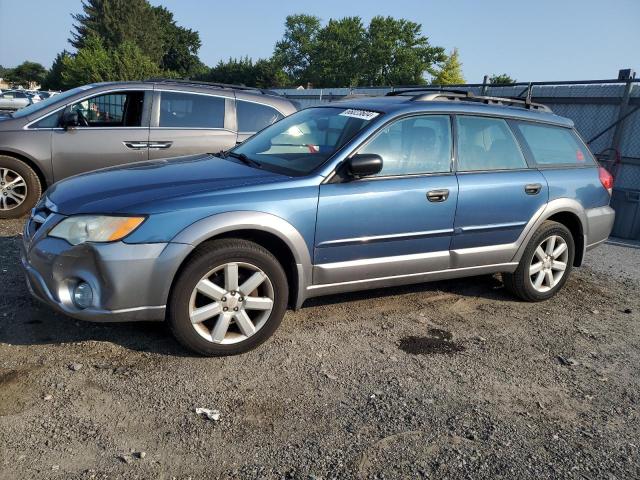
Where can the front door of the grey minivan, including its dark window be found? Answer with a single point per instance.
(113, 130)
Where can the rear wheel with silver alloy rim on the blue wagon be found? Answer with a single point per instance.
(545, 264)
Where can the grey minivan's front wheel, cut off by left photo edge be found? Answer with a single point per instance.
(20, 187)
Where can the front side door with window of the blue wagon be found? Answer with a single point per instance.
(398, 222)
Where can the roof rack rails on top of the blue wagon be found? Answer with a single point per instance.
(435, 94)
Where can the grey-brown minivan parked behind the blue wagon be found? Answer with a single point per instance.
(108, 124)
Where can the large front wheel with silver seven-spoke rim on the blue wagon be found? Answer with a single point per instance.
(229, 298)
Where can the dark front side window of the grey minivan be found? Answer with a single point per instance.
(121, 109)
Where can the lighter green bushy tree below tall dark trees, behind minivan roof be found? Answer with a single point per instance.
(95, 63)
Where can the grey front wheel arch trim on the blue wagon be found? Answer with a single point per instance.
(272, 232)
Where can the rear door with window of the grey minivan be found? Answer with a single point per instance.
(186, 123)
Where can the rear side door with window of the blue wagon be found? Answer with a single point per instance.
(498, 192)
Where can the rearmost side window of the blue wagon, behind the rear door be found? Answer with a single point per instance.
(552, 145)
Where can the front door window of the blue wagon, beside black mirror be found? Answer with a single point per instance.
(414, 145)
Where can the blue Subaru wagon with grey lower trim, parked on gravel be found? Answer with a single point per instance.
(360, 194)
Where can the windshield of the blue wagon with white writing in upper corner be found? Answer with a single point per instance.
(302, 142)
